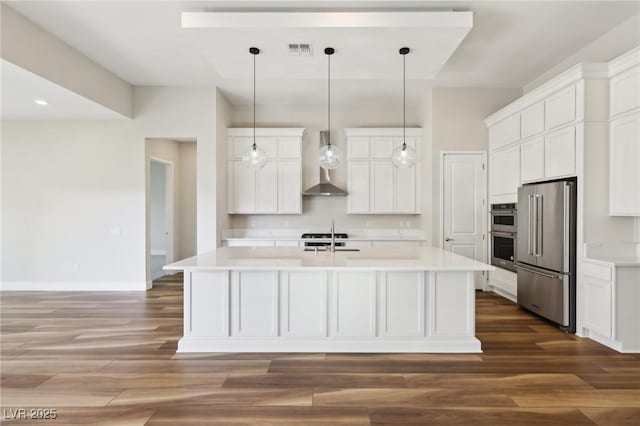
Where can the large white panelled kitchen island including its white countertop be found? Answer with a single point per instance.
(281, 299)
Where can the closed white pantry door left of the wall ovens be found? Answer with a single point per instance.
(463, 186)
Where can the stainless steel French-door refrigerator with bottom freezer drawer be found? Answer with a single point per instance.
(546, 251)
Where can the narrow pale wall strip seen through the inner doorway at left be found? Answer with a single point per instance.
(158, 207)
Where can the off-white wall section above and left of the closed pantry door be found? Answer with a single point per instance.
(458, 125)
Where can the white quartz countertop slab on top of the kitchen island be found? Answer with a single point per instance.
(287, 258)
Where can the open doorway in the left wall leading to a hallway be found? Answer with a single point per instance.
(170, 204)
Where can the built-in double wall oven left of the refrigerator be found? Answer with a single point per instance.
(503, 235)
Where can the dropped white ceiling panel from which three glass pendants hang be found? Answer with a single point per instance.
(366, 43)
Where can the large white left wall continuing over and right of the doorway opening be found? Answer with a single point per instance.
(69, 186)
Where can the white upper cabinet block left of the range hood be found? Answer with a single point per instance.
(274, 189)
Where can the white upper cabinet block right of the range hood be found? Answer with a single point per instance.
(375, 186)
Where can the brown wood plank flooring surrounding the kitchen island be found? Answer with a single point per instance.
(109, 358)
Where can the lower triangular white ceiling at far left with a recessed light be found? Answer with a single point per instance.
(21, 87)
